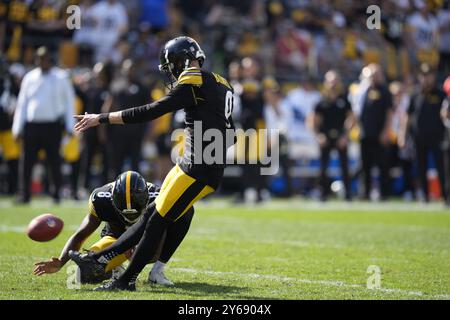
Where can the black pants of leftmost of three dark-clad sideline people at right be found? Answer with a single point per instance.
(343, 161)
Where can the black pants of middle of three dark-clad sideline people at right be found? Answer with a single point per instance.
(374, 154)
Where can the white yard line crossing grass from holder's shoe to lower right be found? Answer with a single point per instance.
(330, 283)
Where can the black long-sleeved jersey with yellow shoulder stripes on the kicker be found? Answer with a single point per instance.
(207, 99)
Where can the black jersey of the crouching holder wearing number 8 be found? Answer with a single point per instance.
(101, 206)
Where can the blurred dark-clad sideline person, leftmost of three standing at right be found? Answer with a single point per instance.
(332, 120)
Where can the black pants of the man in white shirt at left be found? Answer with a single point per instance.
(46, 136)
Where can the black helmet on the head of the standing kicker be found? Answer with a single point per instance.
(177, 54)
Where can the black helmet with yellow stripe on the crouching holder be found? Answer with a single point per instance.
(130, 196)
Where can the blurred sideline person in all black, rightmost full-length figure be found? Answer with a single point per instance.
(424, 119)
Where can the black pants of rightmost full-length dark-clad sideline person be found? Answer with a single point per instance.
(423, 149)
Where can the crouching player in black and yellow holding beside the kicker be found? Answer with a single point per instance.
(119, 204)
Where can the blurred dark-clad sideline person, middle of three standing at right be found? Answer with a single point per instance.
(375, 122)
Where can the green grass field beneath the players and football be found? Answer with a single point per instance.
(282, 250)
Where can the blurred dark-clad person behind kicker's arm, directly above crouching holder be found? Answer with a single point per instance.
(128, 139)
